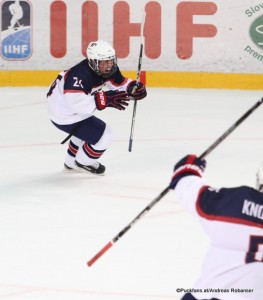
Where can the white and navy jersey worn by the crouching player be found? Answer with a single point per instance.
(71, 95)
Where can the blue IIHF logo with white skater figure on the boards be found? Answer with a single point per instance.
(16, 30)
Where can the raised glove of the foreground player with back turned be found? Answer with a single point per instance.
(189, 165)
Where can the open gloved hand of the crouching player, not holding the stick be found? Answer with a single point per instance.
(115, 99)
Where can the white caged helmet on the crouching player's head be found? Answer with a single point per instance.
(98, 51)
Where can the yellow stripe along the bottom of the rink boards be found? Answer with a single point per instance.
(153, 79)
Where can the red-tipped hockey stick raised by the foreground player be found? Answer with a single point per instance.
(167, 189)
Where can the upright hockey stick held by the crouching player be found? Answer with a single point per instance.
(137, 81)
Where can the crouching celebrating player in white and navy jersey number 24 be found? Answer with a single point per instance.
(93, 84)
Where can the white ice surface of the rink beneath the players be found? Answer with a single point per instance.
(52, 222)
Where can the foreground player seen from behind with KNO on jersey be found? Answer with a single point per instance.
(233, 221)
